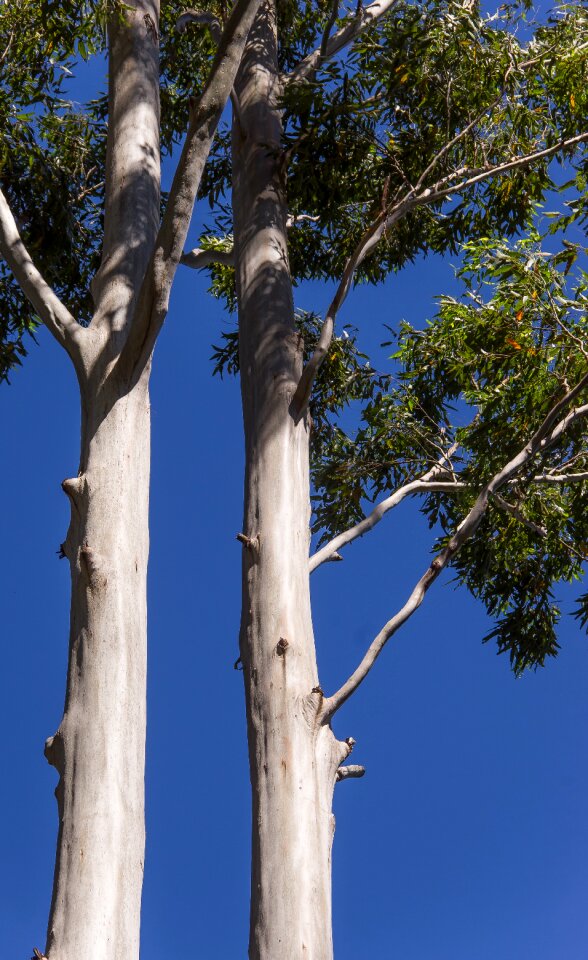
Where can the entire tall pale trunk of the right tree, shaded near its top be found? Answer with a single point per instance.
(293, 754)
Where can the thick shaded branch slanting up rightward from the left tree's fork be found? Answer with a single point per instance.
(153, 300)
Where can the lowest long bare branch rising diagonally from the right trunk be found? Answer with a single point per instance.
(550, 430)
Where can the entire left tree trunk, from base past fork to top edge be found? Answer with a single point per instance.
(99, 747)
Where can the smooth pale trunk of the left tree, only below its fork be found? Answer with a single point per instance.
(99, 748)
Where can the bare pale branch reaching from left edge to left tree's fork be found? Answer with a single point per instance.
(53, 313)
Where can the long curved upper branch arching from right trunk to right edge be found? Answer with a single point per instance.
(455, 182)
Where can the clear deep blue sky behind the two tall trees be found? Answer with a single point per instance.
(466, 840)
